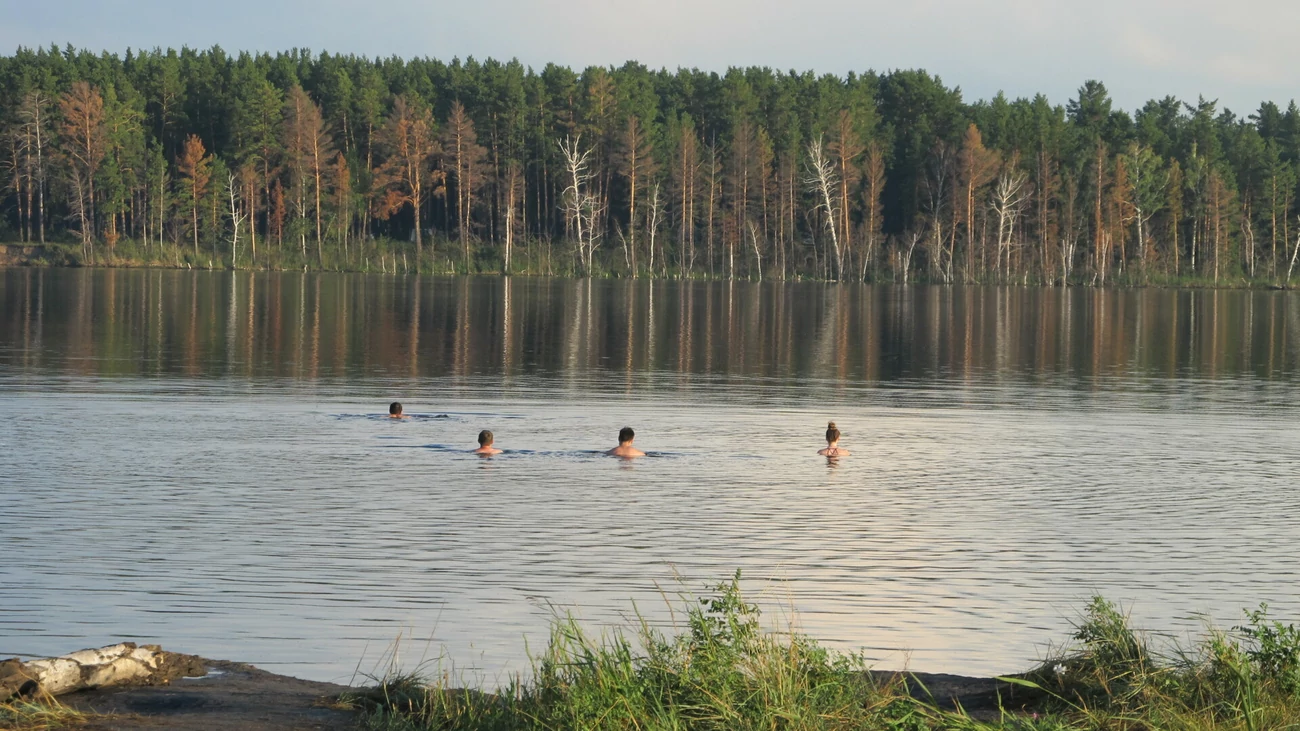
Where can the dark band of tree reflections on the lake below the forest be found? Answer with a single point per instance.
(305, 327)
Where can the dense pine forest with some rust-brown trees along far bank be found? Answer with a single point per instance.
(304, 161)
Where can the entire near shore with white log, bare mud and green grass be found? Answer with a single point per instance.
(725, 671)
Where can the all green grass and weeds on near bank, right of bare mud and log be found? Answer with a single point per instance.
(725, 671)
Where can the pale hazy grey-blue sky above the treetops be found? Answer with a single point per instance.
(1240, 53)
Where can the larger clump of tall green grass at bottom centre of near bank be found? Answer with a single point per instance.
(722, 672)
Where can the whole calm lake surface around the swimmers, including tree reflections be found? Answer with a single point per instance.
(200, 460)
